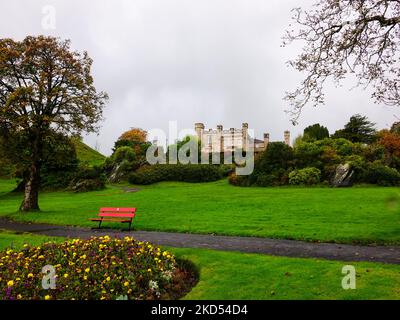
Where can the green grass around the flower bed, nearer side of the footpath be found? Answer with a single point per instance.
(231, 275)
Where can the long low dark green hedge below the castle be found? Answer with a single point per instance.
(178, 172)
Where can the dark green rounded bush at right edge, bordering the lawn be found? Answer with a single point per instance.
(377, 173)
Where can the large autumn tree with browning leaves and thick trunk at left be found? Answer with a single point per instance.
(45, 87)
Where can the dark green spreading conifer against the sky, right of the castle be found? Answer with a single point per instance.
(358, 129)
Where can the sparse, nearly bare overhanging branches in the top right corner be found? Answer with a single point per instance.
(342, 37)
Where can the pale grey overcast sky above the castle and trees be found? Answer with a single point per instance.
(211, 61)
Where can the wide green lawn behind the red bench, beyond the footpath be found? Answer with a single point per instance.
(363, 214)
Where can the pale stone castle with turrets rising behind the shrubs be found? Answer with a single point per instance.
(222, 140)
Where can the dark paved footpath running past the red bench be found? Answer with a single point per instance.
(275, 247)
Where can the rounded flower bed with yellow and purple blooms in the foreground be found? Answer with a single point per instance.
(101, 268)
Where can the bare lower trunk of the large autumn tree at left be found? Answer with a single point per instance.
(31, 195)
